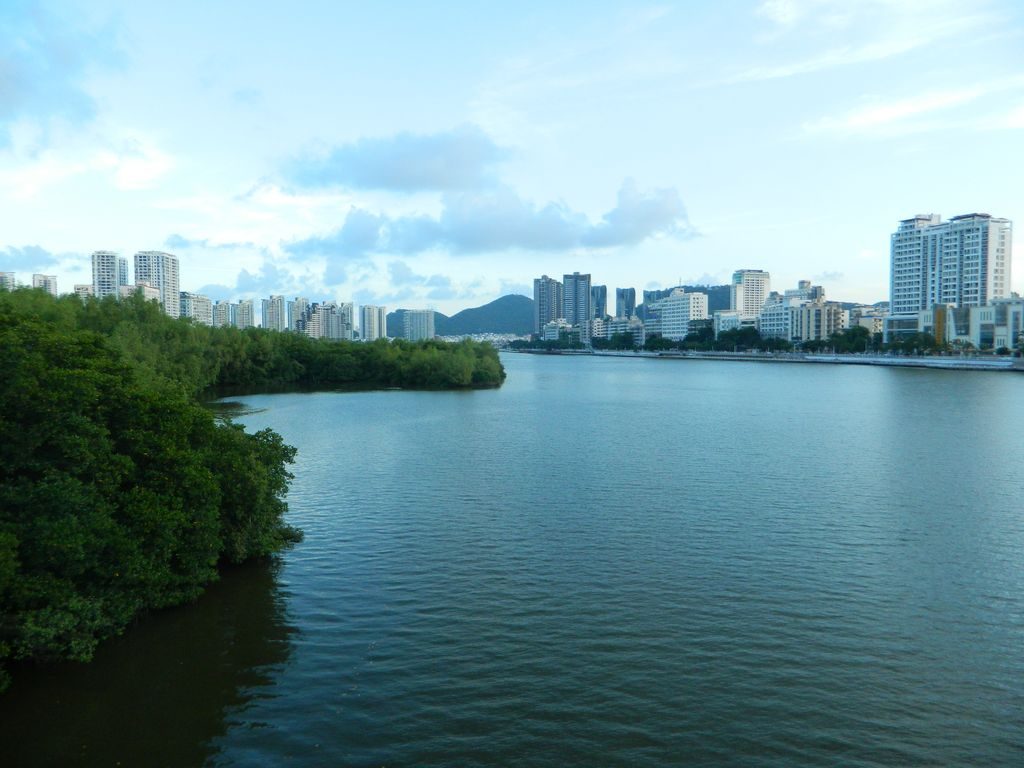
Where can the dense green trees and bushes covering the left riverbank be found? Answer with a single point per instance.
(119, 491)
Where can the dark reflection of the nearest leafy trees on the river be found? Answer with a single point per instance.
(162, 693)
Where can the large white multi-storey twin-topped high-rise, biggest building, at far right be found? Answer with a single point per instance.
(963, 263)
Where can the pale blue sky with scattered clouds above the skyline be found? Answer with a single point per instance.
(442, 155)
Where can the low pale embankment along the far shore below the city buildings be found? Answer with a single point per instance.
(933, 362)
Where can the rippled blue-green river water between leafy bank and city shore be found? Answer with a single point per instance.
(606, 563)
